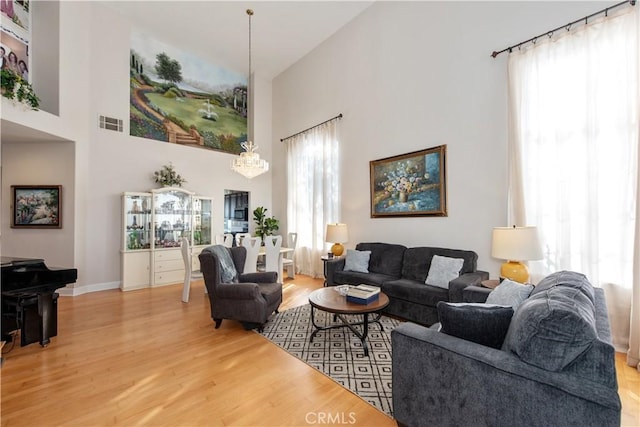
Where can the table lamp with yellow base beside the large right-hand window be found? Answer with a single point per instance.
(515, 244)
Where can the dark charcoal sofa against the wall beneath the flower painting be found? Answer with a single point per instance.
(400, 272)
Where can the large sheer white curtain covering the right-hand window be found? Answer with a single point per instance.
(574, 111)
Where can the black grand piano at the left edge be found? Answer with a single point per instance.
(29, 300)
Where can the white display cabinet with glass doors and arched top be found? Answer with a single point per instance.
(154, 224)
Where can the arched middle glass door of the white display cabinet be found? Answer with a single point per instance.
(172, 217)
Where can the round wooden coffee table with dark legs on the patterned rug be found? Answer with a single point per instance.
(329, 300)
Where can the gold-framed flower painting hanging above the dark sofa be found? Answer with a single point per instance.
(412, 184)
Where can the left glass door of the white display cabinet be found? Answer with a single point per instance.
(137, 221)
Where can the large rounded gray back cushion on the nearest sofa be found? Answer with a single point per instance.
(553, 327)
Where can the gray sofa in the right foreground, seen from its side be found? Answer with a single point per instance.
(556, 366)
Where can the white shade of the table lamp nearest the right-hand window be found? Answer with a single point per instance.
(516, 243)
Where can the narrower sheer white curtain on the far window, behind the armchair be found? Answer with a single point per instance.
(313, 182)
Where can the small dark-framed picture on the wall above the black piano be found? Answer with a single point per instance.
(36, 206)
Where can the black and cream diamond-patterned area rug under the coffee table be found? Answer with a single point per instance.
(338, 353)
